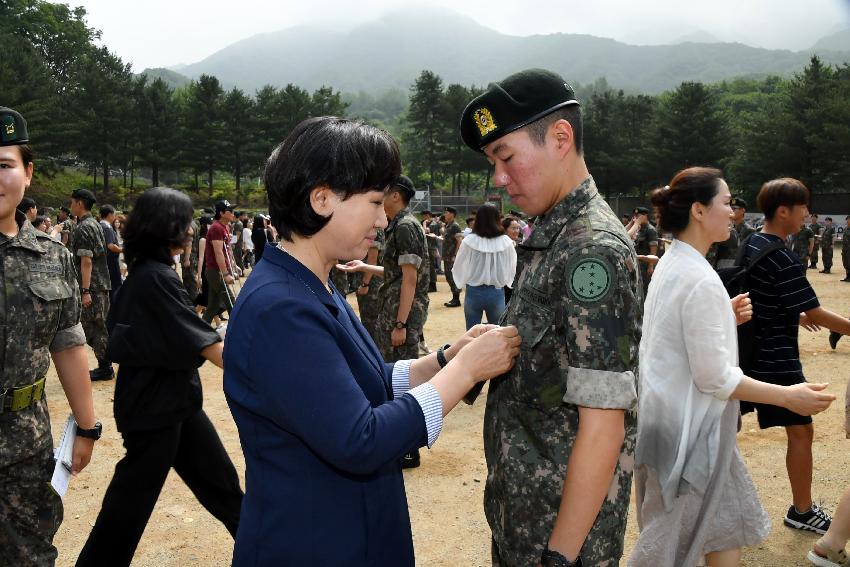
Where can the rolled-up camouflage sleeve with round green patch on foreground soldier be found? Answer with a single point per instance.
(603, 321)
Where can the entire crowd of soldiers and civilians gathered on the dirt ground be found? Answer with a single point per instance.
(614, 347)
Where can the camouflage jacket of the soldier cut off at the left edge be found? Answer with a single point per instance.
(40, 309)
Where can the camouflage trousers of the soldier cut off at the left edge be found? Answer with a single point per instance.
(30, 512)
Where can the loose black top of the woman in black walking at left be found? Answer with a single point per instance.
(156, 338)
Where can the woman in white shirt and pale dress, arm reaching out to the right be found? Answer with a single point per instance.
(694, 494)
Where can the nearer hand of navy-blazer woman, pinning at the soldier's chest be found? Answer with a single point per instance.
(490, 354)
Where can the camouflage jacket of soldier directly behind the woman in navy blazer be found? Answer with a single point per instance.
(404, 244)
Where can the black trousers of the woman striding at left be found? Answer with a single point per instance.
(195, 451)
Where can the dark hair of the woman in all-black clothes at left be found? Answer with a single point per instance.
(157, 224)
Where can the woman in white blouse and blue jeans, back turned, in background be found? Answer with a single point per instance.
(485, 264)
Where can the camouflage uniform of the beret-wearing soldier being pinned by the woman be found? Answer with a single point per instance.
(577, 305)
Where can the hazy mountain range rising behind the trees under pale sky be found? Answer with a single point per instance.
(391, 51)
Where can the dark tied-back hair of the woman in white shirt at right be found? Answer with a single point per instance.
(689, 186)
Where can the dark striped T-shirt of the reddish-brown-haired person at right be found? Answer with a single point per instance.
(779, 291)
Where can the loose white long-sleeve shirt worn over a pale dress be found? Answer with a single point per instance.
(688, 370)
